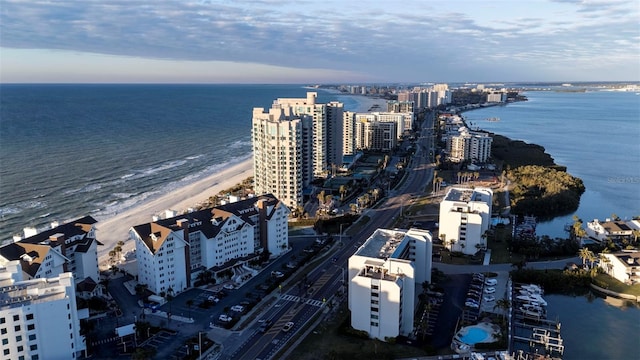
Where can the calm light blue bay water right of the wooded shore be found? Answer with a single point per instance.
(594, 134)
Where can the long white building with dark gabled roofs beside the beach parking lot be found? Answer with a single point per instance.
(171, 252)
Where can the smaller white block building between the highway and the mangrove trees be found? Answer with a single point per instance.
(465, 215)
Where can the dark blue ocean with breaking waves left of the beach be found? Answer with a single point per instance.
(67, 151)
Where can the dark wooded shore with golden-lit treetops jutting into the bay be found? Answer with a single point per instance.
(539, 186)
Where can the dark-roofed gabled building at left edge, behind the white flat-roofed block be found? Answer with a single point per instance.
(70, 247)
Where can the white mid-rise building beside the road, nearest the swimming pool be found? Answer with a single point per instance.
(383, 276)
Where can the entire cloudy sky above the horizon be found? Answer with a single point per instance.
(311, 41)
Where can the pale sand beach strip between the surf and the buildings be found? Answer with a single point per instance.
(115, 229)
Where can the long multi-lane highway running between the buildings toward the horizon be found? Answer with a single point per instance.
(302, 302)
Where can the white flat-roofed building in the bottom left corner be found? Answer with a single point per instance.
(39, 317)
